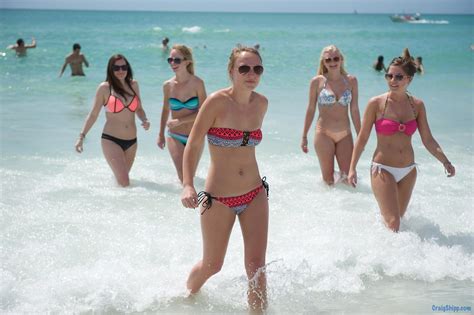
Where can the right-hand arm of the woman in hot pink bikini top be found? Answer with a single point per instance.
(429, 141)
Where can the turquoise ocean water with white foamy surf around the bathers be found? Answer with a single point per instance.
(73, 242)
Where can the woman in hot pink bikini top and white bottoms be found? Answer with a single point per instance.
(396, 116)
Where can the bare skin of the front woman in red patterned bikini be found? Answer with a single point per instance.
(232, 172)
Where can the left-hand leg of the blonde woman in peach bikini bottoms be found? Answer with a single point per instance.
(325, 149)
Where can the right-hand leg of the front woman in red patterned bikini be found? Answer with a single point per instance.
(254, 225)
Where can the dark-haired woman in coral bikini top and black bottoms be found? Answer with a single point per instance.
(119, 95)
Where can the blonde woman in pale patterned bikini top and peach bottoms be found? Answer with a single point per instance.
(334, 93)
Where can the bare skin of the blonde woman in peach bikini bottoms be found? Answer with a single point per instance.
(333, 118)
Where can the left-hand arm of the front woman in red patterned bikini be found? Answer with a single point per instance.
(204, 120)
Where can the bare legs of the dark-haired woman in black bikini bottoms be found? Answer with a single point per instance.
(118, 162)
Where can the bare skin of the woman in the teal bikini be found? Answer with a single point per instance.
(182, 86)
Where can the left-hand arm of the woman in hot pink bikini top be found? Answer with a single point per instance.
(364, 134)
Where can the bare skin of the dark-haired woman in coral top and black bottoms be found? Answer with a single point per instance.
(120, 125)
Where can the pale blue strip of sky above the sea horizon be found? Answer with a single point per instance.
(323, 6)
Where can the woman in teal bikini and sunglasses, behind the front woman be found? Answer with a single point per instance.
(183, 94)
